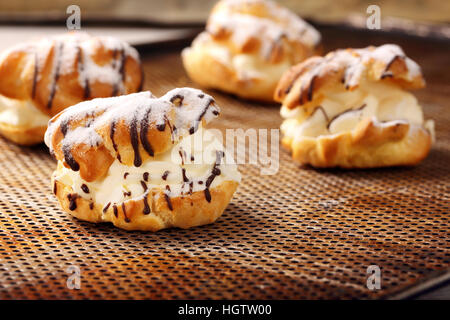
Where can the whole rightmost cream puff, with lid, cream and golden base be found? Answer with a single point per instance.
(351, 109)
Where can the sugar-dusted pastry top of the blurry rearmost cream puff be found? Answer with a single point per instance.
(250, 26)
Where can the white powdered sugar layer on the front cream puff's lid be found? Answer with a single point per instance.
(191, 107)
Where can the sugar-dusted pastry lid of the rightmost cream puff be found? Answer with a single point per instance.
(304, 83)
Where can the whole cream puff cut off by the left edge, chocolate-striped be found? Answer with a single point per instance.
(40, 78)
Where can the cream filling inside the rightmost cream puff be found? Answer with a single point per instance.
(341, 111)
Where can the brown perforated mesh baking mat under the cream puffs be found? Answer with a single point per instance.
(302, 233)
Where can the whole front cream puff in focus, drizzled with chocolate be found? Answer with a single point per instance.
(141, 162)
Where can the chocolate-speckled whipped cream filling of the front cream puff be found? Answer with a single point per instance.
(197, 162)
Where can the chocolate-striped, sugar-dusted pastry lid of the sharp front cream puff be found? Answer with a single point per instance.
(133, 128)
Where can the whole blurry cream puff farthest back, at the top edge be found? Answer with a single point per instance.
(247, 46)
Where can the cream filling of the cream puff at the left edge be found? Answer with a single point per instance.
(21, 113)
